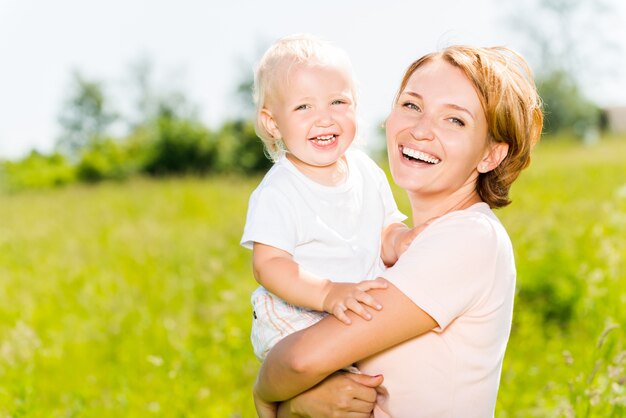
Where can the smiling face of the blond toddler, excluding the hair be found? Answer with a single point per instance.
(314, 114)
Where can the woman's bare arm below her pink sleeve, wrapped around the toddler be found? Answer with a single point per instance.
(305, 358)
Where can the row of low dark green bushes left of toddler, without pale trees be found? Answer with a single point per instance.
(171, 145)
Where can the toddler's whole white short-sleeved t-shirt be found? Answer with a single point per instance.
(333, 232)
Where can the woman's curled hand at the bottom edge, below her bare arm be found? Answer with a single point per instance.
(340, 395)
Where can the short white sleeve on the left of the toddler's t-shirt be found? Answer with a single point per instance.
(271, 220)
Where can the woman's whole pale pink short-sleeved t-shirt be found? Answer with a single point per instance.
(461, 271)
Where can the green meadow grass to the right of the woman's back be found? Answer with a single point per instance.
(568, 229)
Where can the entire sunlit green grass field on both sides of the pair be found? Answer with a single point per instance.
(131, 300)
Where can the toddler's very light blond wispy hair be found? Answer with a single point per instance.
(274, 68)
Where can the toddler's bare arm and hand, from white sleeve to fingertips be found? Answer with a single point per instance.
(275, 270)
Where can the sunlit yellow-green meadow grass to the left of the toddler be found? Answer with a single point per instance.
(126, 300)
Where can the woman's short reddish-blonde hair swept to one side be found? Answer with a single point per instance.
(512, 106)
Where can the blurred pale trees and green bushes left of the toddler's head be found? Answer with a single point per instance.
(164, 138)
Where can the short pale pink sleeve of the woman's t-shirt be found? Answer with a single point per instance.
(449, 267)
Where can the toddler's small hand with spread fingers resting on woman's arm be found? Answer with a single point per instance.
(343, 296)
